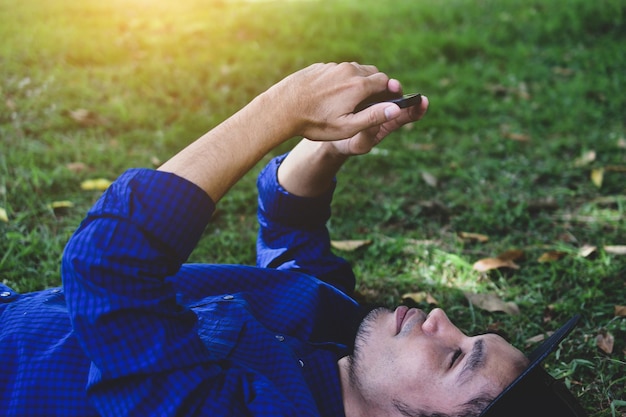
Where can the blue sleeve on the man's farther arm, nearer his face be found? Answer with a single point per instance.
(293, 233)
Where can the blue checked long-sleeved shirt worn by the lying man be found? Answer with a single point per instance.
(137, 331)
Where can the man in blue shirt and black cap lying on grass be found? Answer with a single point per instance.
(136, 331)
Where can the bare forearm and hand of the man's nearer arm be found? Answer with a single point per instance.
(317, 102)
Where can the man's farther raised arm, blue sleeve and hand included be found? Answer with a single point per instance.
(293, 232)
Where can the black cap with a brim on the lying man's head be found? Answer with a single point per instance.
(536, 393)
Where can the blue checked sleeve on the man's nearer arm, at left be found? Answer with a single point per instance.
(146, 356)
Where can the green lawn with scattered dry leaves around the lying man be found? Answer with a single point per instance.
(521, 91)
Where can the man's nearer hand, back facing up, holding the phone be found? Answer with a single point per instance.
(318, 102)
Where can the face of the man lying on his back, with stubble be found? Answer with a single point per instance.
(406, 360)
